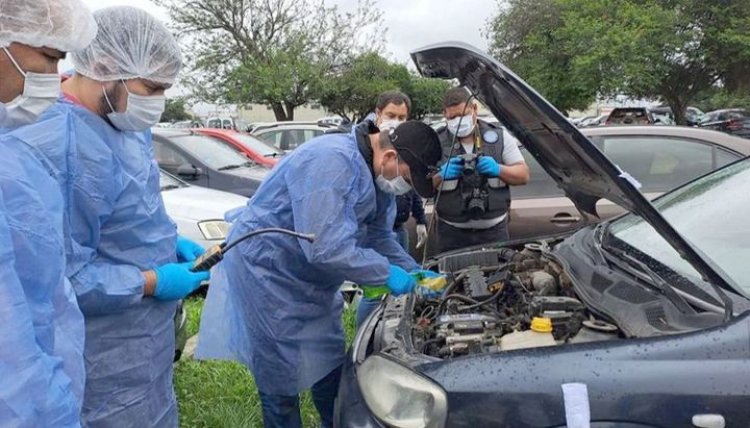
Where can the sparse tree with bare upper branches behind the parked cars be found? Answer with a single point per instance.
(274, 52)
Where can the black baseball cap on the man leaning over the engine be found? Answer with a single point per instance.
(418, 145)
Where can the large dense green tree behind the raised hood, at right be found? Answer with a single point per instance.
(670, 49)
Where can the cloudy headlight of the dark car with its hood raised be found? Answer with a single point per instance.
(401, 397)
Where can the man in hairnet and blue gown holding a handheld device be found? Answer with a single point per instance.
(124, 259)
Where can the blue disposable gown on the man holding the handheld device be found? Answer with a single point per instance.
(117, 228)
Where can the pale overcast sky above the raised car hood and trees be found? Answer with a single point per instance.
(411, 23)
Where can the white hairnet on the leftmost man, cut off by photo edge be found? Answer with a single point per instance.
(65, 25)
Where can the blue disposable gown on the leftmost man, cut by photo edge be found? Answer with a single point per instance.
(41, 345)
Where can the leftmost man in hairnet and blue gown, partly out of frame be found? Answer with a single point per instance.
(42, 345)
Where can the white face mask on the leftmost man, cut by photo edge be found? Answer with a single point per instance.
(40, 92)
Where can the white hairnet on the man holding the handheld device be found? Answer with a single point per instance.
(130, 44)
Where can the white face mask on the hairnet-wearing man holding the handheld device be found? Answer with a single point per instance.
(142, 112)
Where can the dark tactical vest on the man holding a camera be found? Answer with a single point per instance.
(452, 205)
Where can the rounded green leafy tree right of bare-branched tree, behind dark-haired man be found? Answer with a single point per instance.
(352, 93)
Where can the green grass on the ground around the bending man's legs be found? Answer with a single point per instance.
(223, 394)
